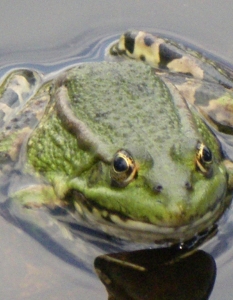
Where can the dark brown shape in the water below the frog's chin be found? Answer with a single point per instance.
(157, 274)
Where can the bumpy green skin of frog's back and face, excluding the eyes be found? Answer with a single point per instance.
(124, 106)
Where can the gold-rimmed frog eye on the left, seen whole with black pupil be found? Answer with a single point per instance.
(123, 168)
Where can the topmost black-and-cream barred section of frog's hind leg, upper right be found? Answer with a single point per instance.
(167, 55)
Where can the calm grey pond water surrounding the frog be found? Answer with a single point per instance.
(50, 35)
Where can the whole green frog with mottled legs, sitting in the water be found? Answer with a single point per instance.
(131, 146)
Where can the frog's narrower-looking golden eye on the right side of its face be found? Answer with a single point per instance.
(204, 158)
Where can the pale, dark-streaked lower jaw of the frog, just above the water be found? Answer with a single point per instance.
(117, 225)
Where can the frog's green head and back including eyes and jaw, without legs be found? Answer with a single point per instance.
(123, 146)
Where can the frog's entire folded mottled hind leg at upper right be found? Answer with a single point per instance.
(213, 101)
